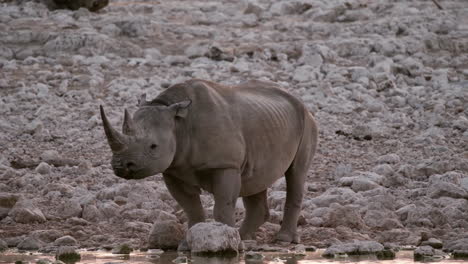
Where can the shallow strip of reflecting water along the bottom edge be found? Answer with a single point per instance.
(102, 257)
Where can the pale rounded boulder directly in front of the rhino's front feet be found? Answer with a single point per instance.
(213, 237)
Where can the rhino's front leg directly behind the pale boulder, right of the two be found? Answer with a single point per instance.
(226, 188)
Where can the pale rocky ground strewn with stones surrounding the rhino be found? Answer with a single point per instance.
(386, 80)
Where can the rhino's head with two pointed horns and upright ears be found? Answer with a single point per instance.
(147, 144)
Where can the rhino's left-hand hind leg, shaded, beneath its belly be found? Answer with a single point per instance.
(256, 213)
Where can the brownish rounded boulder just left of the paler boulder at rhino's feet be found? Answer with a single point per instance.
(165, 235)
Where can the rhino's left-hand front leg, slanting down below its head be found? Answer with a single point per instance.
(188, 197)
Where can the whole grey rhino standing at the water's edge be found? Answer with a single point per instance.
(232, 141)
